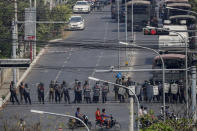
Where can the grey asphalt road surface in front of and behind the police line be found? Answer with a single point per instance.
(73, 62)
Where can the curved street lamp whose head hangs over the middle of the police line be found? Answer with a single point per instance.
(138, 104)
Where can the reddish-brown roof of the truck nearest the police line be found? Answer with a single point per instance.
(170, 56)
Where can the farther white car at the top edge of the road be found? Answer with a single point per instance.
(81, 7)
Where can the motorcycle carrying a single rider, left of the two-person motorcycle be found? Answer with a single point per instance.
(73, 123)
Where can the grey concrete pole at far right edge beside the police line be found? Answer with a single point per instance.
(194, 93)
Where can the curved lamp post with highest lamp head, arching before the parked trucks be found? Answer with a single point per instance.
(163, 69)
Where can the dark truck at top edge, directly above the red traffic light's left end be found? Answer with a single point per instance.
(141, 14)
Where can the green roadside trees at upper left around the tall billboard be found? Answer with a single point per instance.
(44, 31)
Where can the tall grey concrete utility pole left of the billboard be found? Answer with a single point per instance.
(15, 39)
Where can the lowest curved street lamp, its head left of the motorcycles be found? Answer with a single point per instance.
(57, 114)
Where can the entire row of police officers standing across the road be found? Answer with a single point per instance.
(84, 93)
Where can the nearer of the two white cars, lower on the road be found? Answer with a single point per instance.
(76, 23)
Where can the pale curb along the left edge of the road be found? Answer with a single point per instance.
(2, 102)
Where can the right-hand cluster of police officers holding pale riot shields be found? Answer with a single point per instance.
(150, 91)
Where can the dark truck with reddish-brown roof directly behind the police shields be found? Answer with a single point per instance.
(171, 61)
